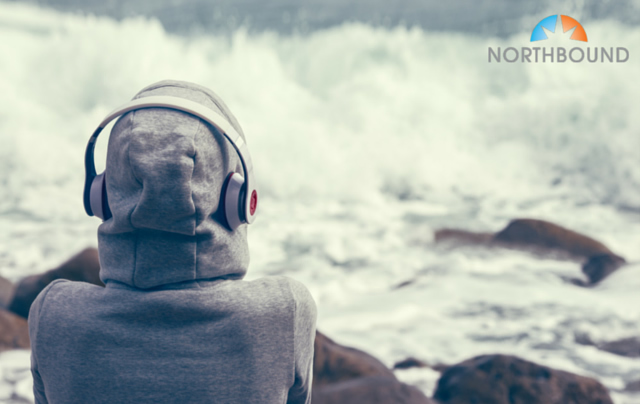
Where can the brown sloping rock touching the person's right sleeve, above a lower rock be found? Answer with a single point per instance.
(334, 363)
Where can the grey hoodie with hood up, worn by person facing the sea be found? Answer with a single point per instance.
(175, 323)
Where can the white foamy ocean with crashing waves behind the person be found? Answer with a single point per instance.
(367, 135)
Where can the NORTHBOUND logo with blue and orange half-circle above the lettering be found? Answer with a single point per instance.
(559, 54)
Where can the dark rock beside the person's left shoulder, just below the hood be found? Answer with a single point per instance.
(83, 267)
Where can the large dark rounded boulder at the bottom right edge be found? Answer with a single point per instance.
(503, 379)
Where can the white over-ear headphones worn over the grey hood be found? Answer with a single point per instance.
(240, 196)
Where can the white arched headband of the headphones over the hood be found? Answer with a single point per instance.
(248, 192)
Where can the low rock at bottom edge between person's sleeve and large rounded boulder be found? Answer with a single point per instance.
(369, 390)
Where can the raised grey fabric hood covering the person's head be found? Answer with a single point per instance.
(164, 176)
